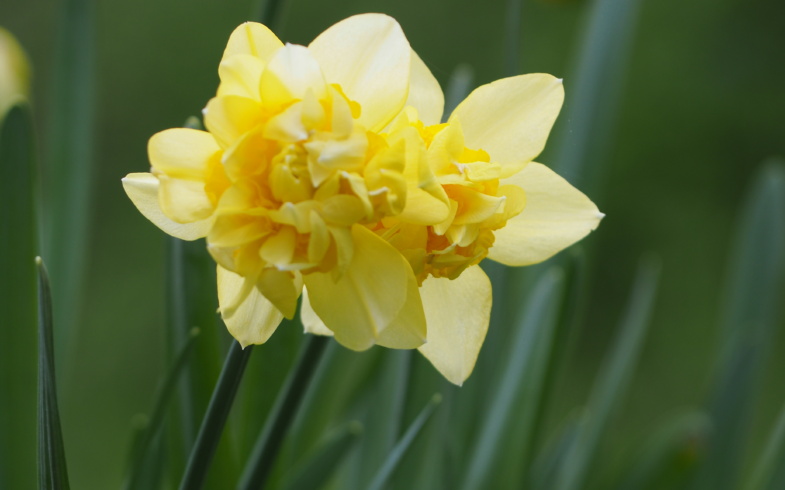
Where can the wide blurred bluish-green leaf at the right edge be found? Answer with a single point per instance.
(754, 305)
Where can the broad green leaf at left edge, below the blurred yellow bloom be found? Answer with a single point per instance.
(18, 248)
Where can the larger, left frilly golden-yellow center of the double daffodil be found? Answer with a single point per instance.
(288, 191)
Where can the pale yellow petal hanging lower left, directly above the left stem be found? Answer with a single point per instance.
(254, 319)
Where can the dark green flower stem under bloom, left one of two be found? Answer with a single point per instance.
(215, 418)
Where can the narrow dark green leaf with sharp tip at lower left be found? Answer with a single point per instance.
(52, 468)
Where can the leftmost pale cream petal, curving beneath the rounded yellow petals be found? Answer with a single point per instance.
(142, 188)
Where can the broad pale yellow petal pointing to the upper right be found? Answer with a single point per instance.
(511, 118)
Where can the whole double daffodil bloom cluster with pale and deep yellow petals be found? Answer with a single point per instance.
(325, 174)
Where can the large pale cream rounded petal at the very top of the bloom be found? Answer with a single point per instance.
(369, 57)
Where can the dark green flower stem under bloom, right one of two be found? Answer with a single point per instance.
(283, 413)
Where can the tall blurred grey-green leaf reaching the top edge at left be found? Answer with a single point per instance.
(69, 170)
